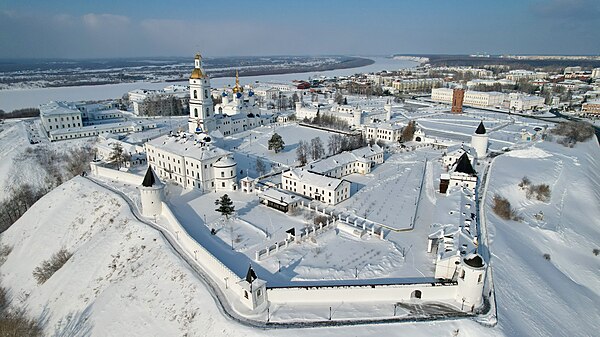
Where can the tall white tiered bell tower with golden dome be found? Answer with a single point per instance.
(201, 105)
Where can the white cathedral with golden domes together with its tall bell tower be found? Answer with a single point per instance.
(237, 111)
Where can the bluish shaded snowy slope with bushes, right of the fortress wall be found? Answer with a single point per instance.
(559, 297)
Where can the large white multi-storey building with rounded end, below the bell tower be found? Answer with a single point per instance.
(191, 162)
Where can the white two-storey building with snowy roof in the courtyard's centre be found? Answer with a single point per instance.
(315, 186)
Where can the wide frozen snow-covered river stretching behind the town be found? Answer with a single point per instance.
(26, 98)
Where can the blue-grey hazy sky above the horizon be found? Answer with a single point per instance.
(129, 28)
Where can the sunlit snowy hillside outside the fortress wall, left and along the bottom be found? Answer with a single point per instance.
(123, 278)
